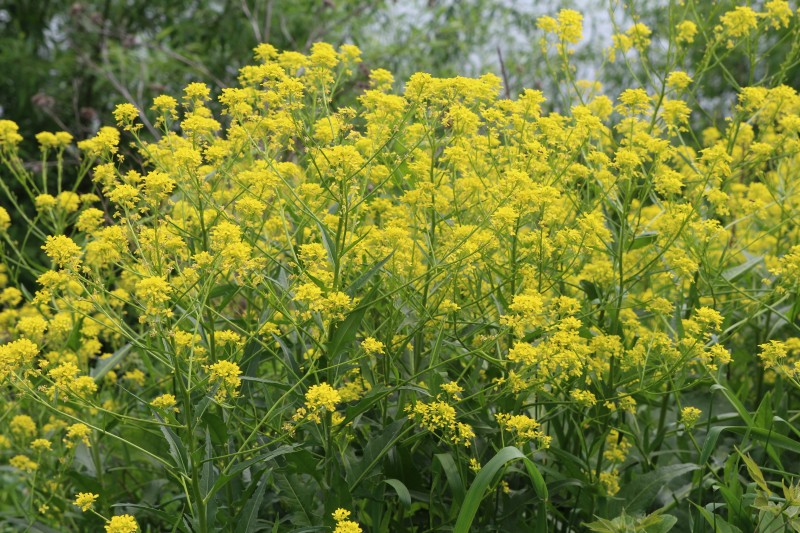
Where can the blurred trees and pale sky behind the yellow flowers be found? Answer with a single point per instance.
(67, 63)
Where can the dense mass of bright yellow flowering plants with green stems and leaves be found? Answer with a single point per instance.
(300, 314)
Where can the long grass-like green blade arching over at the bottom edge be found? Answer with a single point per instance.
(487, 473)
